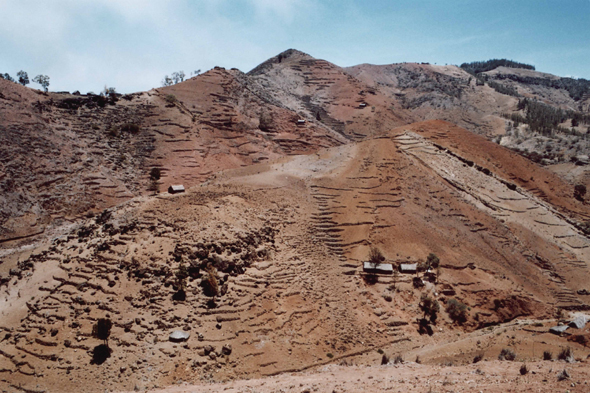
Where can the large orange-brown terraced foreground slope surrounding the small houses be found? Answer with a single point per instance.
(286, 239)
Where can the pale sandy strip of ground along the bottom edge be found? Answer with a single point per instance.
(488, 376)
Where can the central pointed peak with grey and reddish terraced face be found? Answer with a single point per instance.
(324, 92)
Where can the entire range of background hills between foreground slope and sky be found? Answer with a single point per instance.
(63, 156)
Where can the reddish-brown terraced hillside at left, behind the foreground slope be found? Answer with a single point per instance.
(63, 155)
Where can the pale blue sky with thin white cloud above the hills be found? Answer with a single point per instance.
(131, 44)
